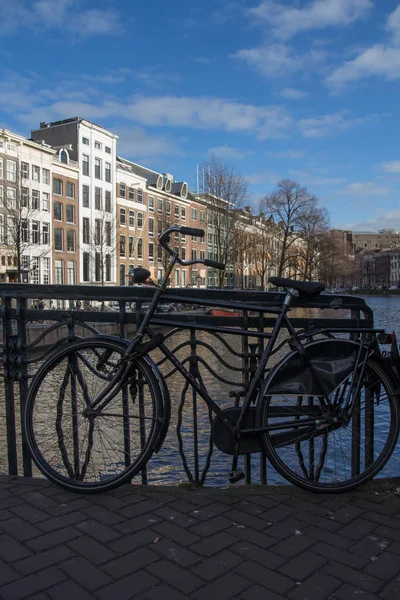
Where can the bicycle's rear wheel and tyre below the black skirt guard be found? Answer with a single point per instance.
(296, 461)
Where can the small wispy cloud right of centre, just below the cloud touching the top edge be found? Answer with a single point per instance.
(277, 60)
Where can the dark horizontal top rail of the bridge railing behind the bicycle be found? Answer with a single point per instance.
(246, 299)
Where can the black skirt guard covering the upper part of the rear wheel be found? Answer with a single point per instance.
(332, 359)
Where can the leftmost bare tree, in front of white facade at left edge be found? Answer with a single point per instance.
(24, 232)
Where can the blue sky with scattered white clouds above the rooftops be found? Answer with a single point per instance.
(306, 89)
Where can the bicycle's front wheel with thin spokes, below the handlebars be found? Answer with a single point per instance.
(84, 449)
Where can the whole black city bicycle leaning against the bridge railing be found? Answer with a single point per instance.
(313, 414)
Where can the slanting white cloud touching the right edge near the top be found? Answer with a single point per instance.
(379, 60)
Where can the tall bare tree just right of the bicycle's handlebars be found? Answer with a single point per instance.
(225, 193)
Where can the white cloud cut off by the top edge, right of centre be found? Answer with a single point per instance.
(287, 21)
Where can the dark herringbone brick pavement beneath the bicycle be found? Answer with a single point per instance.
(174, 543)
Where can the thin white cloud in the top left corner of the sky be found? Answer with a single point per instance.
(67, 16)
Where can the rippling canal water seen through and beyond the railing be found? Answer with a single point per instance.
(166, 467)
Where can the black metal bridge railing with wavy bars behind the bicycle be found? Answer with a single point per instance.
(224, 359)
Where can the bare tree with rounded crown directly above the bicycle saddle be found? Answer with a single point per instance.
(288, 204)
